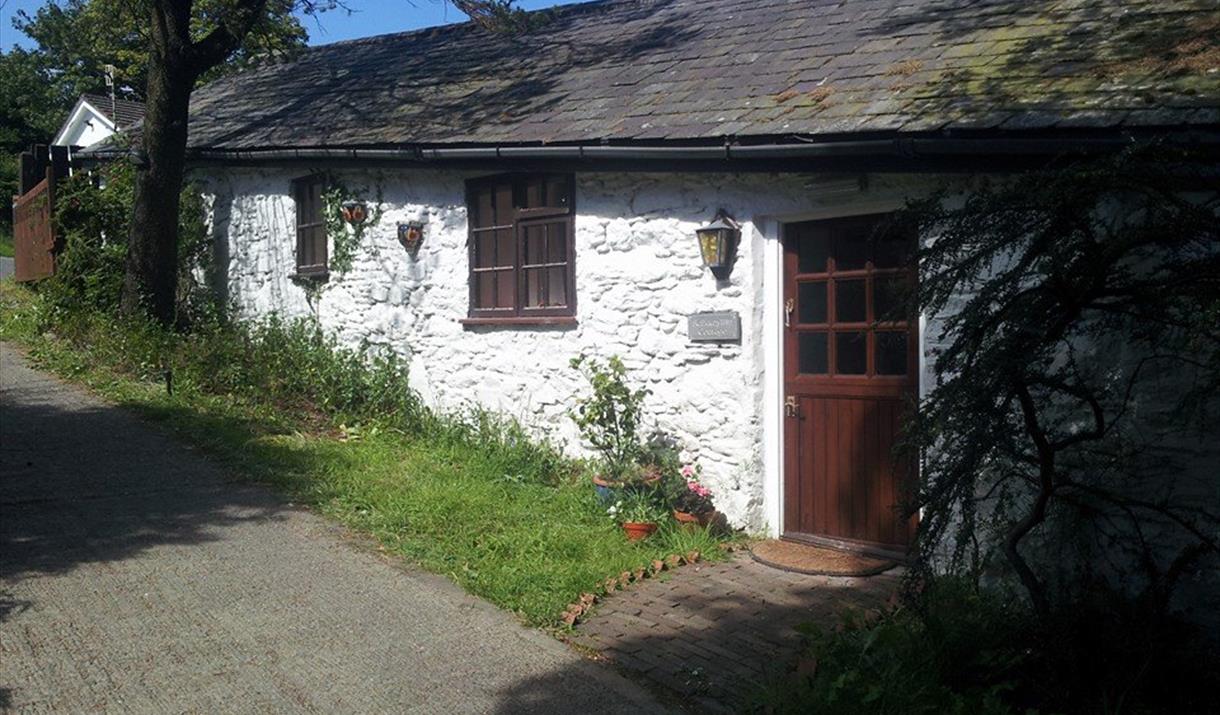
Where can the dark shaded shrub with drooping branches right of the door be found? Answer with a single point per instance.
(1068, 296)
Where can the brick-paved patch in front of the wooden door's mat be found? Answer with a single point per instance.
(712, 631)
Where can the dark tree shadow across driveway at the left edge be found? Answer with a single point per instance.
(132, 495)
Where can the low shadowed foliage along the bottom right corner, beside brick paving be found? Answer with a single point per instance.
(953, 649)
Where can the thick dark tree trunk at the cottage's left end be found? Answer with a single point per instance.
(152, 270)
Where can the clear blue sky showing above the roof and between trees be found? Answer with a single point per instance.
(370, 18)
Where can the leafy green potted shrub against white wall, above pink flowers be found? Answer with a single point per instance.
(611, 418)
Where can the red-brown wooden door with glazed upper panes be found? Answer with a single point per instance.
(850, 376)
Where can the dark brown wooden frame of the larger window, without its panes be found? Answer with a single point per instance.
(522, 220)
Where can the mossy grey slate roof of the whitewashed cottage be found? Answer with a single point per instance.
(662, 71)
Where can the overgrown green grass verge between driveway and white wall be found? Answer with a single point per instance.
(473, 497)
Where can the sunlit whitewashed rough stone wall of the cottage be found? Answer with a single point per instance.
(639, 275)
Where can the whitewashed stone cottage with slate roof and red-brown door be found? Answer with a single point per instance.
(531, 198)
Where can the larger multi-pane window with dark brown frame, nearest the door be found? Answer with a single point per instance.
(522, 248)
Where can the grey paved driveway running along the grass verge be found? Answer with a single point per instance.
(136, 578)
